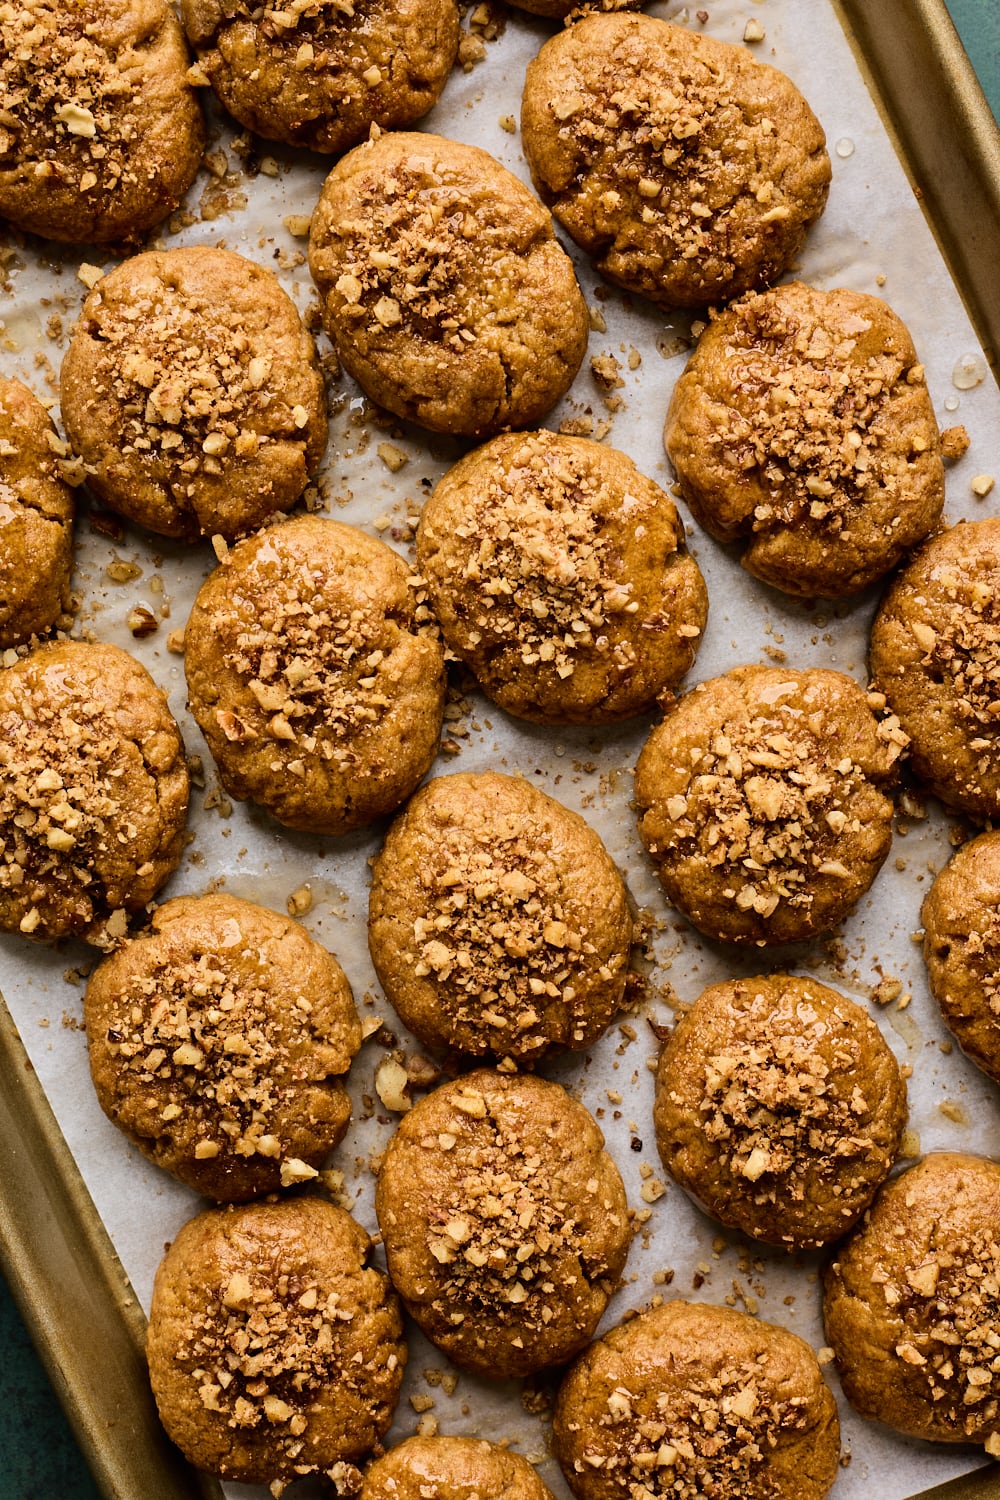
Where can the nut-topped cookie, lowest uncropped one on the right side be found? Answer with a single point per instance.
(780, 1108)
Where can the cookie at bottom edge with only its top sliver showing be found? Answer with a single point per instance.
(452, 1469)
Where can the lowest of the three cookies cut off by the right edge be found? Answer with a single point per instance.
(911, 1304)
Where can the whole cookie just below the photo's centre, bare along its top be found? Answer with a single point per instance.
(499, 923)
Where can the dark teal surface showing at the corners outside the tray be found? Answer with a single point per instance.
(38, 1454)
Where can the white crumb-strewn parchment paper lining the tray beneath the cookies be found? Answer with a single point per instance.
(875, 239)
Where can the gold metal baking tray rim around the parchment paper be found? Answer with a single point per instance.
(55, 1250)
